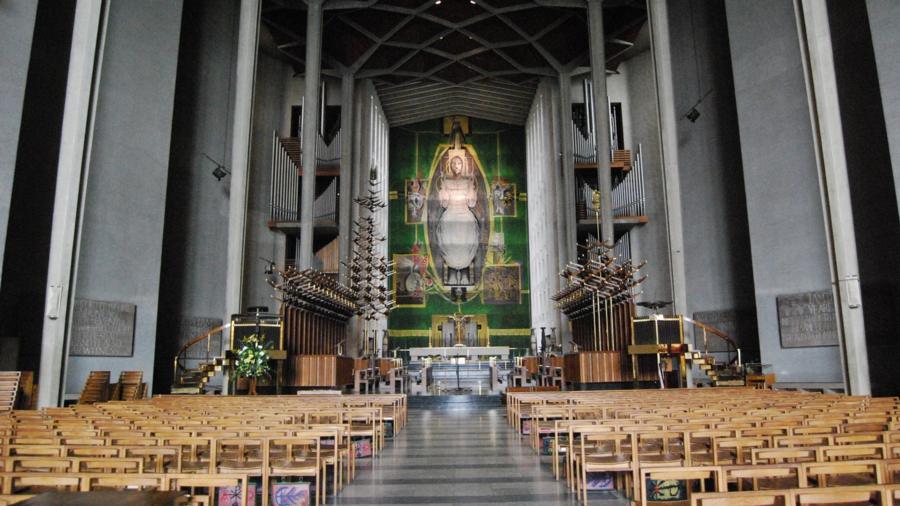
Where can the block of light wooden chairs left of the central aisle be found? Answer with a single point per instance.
(288, 436)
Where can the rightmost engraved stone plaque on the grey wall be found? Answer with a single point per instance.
(807, 319)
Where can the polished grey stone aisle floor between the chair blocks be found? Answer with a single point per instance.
(459, 456)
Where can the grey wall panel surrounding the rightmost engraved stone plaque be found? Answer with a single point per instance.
(784, 206)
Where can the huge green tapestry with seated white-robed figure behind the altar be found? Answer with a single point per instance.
(459, 234)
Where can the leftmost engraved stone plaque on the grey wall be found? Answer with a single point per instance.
(102, 329)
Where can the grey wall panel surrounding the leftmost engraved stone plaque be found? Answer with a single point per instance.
(124, 203)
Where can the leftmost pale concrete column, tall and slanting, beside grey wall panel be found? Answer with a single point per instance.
(74, 154)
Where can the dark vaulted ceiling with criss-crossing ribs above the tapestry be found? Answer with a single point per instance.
(432, 58)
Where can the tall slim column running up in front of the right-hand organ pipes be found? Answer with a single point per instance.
(601, 119)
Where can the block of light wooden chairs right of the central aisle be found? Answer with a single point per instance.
(623, 432)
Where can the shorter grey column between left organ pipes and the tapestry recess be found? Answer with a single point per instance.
(346, 174)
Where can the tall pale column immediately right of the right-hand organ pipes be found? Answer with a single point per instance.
(668, 135)
